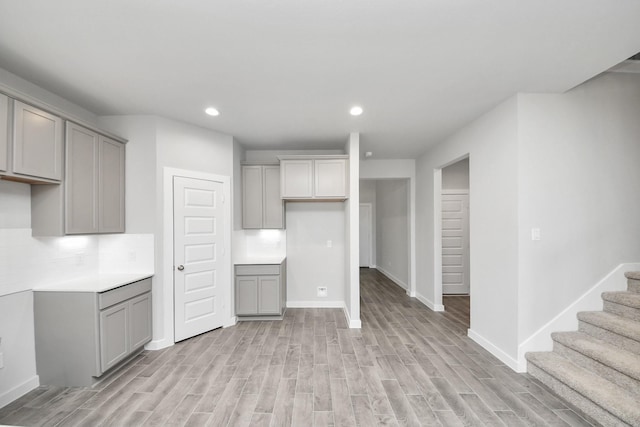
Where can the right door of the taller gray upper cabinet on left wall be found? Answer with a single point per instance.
(111, 186)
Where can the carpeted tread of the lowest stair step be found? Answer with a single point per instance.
(605, 394)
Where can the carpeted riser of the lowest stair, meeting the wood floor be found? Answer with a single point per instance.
(585, 405)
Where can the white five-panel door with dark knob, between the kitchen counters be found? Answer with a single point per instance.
(199, 246)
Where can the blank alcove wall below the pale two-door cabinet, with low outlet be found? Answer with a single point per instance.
(310, 260)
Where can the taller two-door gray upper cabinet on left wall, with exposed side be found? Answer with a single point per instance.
(92, 199)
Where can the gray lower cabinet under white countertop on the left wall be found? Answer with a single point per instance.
(82, 335)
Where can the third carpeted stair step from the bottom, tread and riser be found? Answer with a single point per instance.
(616, 330)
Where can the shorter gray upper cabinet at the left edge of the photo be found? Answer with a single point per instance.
(31, 143)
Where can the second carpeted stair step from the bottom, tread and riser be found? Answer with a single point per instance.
(614, 364)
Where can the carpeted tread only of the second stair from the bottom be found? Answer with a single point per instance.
(621, 360)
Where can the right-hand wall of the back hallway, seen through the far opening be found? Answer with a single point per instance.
(392, 229)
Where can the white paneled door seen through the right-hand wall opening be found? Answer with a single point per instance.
(455, 243)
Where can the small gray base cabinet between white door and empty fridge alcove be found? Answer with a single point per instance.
(260, 291)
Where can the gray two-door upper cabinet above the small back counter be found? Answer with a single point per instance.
(262, 206)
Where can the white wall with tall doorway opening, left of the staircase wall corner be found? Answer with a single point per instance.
(491, 144)
